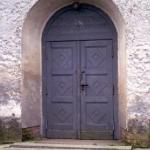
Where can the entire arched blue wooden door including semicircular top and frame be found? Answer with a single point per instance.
(80, 74)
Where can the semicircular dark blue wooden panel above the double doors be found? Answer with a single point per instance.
(86, 23)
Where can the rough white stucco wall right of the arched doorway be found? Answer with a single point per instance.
(136, 14)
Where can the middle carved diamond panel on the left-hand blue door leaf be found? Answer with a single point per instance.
(62, 86)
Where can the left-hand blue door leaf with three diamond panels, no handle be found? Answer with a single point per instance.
(62, 89)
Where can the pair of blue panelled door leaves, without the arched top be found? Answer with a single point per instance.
(79, 89)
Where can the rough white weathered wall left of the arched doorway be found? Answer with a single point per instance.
(12, 14)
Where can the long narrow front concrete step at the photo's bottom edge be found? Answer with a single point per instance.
(68, 146)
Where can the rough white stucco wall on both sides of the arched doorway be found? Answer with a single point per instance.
(136, 14)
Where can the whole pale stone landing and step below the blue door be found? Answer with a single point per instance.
(67, 145)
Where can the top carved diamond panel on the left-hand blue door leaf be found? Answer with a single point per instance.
(62, 59)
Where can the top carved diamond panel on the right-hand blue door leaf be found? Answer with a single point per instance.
(95, 56)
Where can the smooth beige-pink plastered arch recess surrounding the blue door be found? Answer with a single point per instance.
(33, 27)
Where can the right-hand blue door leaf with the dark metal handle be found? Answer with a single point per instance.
(96, 96)
